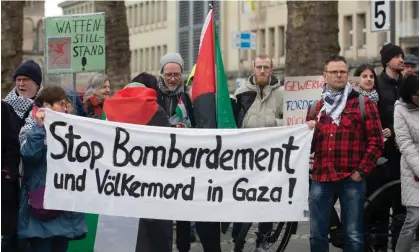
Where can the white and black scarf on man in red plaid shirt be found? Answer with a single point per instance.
(335, 102)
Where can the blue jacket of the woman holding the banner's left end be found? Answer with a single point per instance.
(70, 224)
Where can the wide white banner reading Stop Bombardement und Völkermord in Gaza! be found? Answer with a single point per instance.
(229, 175)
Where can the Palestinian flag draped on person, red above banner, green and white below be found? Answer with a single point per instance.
(136, 105)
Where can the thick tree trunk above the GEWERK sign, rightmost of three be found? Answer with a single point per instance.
(312, 36)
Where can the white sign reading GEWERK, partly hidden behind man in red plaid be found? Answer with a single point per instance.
(301, 92)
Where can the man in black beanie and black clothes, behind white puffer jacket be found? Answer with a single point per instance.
(390, 81)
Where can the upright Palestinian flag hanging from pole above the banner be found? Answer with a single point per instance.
(210, 96)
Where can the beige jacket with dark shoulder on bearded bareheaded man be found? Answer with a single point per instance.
(257, 107)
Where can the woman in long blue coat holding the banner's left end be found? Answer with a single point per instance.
(44, 230)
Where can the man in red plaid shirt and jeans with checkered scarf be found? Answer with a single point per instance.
(346, 147)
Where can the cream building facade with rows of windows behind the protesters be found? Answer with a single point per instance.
(158, 27)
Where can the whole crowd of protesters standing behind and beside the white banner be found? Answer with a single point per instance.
(385, 110)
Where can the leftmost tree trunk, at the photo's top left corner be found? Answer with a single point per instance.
(11, 42)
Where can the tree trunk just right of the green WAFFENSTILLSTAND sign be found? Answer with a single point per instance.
(118, 54)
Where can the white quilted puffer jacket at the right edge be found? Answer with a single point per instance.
(406, 126)
